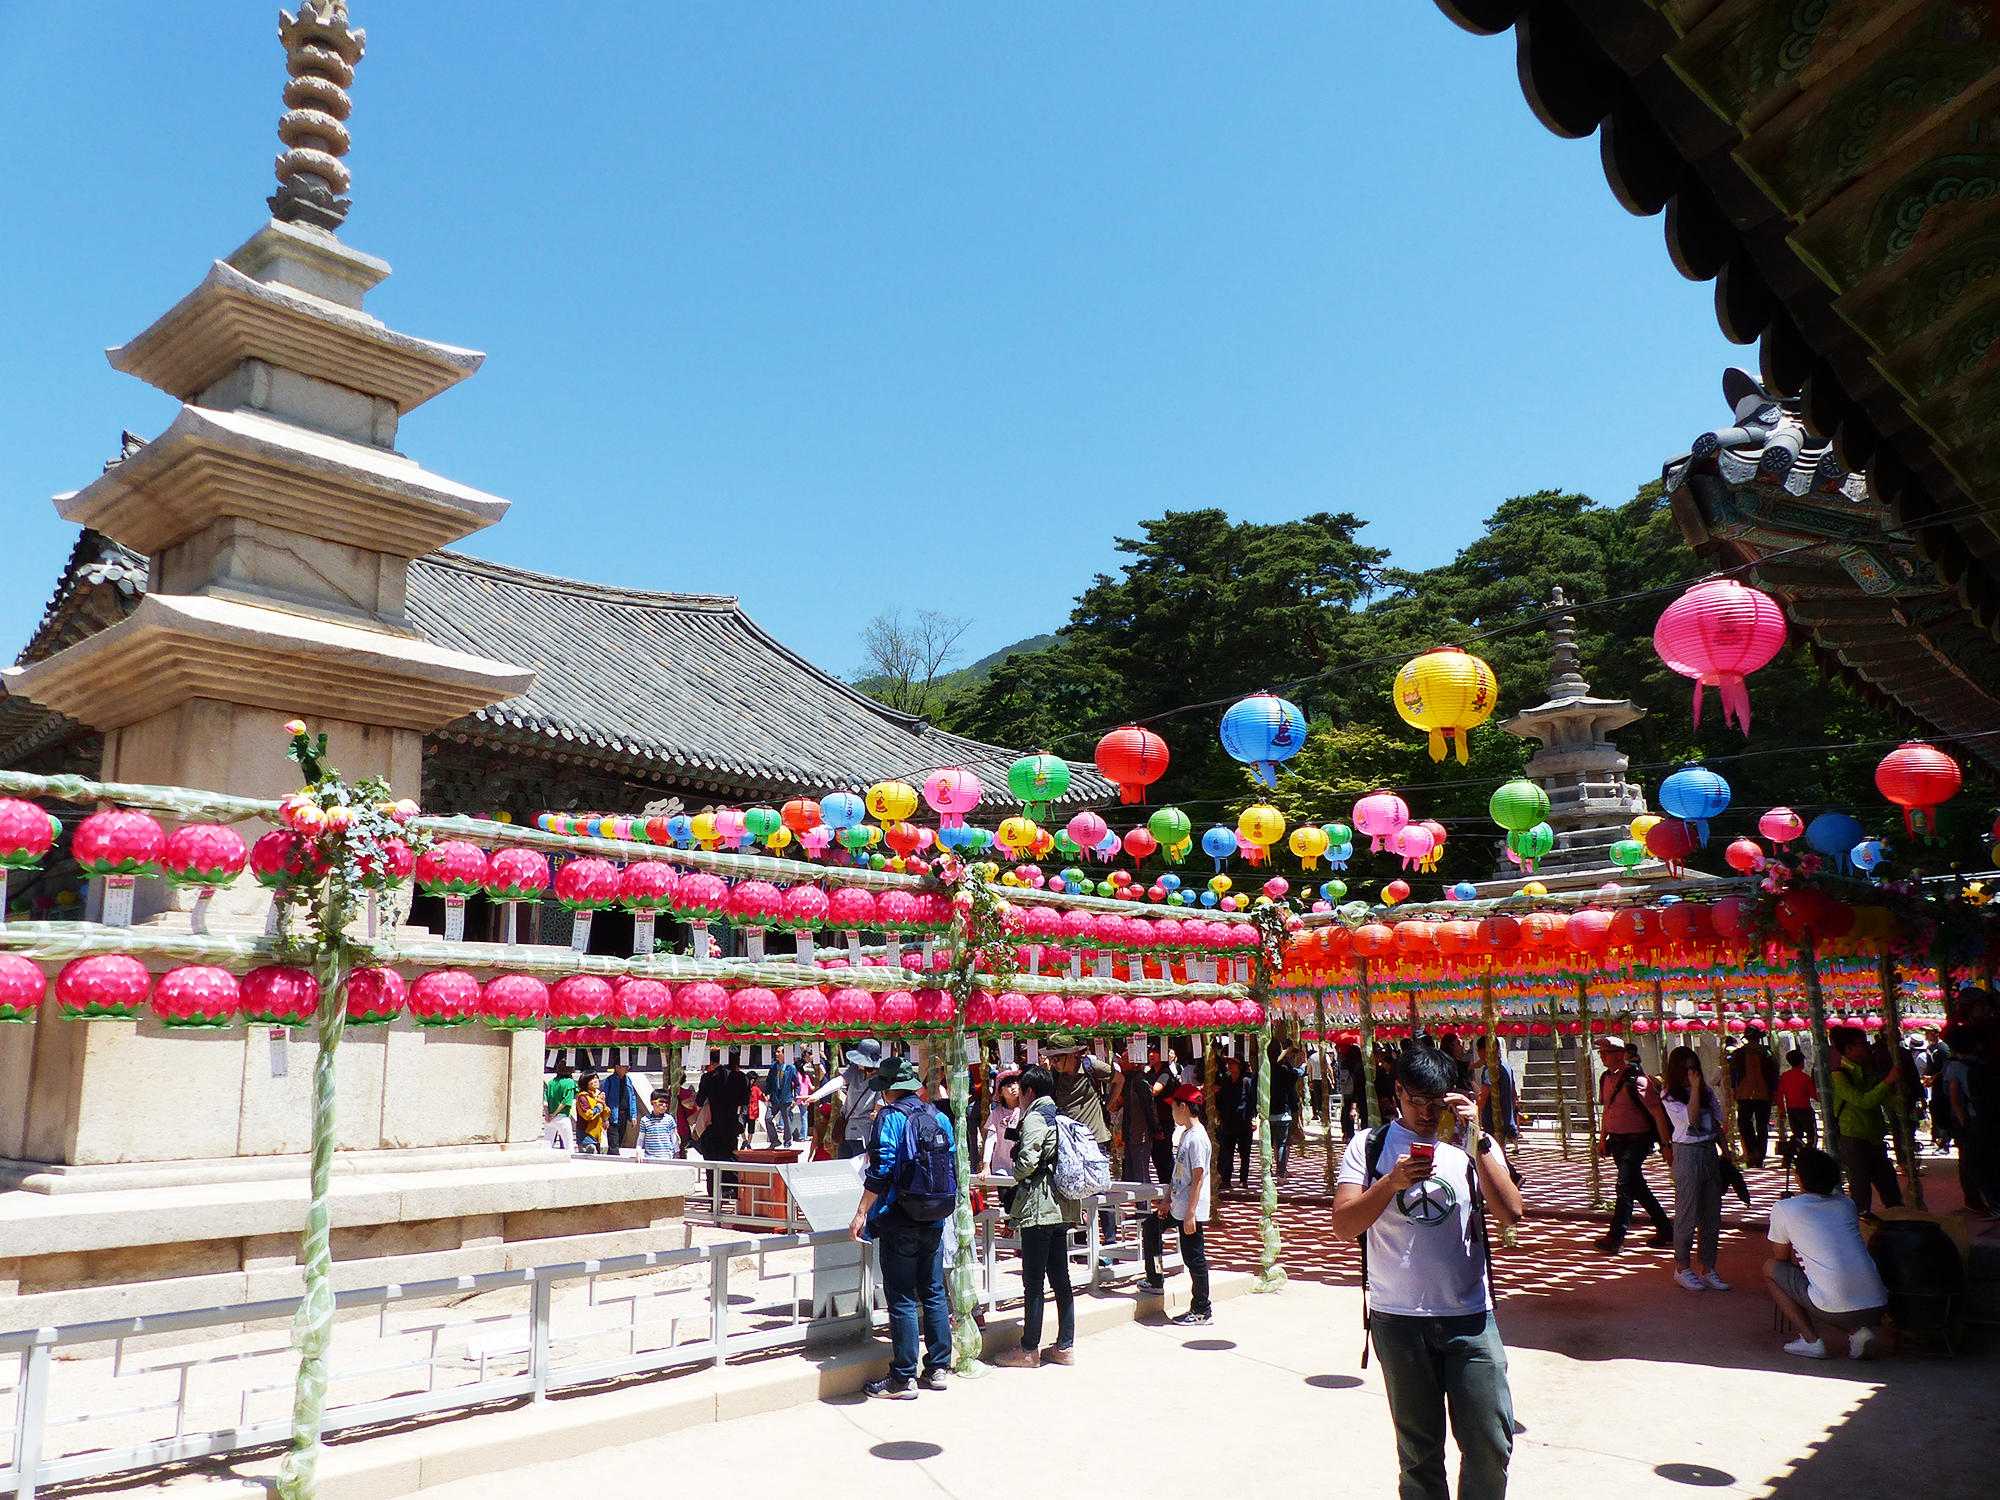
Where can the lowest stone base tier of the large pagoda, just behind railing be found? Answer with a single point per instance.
(75, 1257)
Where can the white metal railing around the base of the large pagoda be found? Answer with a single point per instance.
(463, 1343)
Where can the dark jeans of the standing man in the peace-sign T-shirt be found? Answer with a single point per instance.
(1437, 1363)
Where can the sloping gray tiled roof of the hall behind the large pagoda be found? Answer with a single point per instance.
(685, 683)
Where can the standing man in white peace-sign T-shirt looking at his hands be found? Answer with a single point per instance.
(1417, 1197)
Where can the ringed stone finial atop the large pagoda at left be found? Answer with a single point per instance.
(321, 53)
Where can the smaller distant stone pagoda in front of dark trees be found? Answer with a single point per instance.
(1591, 803)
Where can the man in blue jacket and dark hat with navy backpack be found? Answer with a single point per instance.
(907, 1195)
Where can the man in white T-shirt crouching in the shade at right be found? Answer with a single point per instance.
(1821, 1269)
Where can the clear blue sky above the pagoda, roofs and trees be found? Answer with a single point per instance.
(865, 305)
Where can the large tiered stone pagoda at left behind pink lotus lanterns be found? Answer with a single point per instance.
(279, 523)
